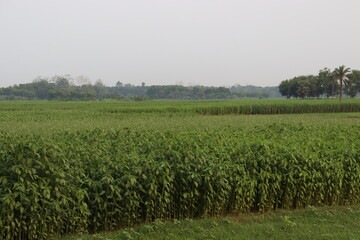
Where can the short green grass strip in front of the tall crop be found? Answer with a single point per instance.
(311, 223)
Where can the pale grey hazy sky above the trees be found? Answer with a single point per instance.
(189, 42)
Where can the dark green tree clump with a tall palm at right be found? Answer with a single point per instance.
(326, 83)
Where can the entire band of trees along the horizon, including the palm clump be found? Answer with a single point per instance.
(324, 85)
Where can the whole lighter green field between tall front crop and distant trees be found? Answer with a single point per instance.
(45, 117)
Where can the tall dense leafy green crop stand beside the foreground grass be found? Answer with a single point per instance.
(102, 180)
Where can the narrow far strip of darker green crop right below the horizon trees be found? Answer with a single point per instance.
(214, 107)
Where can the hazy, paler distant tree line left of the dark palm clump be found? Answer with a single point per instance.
(63, 88)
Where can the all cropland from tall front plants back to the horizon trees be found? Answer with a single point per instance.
(70, 167)
